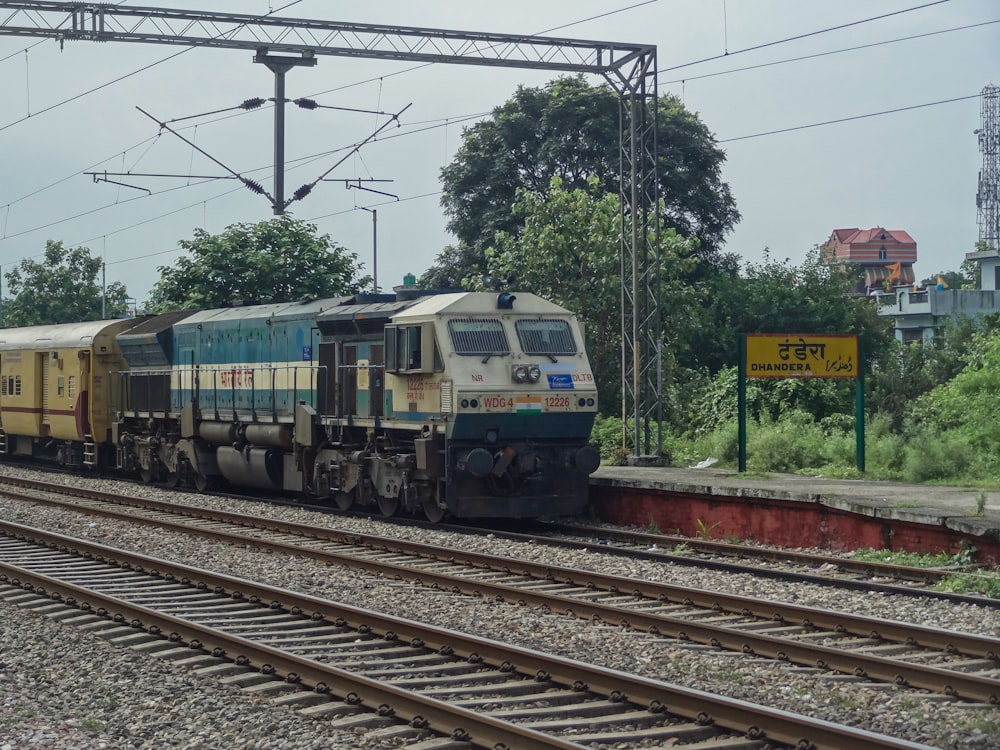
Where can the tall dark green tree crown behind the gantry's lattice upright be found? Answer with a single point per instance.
(569, 130)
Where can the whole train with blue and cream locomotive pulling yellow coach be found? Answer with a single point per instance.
(449, 404)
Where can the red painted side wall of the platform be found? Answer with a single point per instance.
(785, 523)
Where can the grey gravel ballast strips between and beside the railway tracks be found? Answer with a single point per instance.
(98, 703)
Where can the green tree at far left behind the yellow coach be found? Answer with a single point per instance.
(64, 288)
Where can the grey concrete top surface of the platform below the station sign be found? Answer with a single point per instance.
(955, 508)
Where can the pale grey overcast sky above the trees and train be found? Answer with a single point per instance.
(914, 170)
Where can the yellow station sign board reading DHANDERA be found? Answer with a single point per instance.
(792, 355)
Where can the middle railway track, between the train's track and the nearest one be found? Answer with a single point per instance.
(956, 664)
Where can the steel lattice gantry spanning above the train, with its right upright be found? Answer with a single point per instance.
(629, 69)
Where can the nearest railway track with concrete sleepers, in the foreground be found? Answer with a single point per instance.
(374, 670)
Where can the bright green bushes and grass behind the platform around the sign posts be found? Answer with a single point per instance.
(930, 417)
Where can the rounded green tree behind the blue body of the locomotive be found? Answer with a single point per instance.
(279, 260)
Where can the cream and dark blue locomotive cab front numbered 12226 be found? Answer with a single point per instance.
(505, 397)
